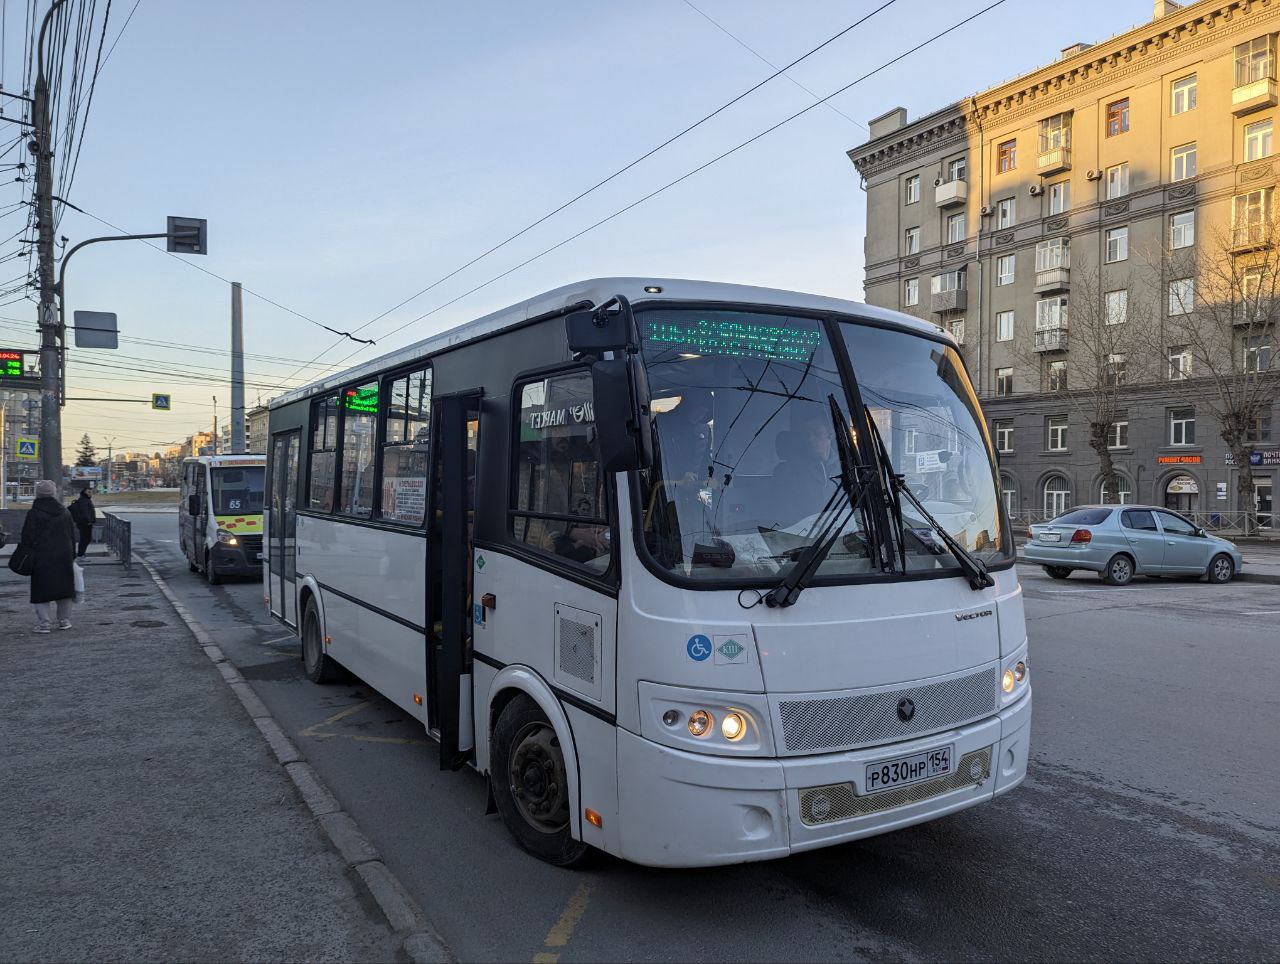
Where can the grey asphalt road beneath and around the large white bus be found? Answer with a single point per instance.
(1149, 828)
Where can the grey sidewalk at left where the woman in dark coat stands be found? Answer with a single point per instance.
(144, 815)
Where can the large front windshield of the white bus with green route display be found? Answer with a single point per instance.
(747, 472)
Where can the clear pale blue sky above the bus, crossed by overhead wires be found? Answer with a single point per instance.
(349, 156)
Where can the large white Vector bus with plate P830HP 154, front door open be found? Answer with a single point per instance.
(696, 574)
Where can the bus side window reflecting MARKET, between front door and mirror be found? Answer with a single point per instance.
(559, 497)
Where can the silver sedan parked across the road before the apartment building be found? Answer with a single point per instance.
(1121, 542)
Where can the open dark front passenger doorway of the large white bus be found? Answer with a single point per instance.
(449, 577)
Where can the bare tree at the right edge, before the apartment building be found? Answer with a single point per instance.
(1222, 303)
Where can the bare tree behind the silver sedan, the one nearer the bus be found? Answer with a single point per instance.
(1089, 348)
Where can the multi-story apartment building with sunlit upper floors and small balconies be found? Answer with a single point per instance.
(1084, 180)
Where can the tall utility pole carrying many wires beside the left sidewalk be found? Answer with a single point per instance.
(51, 366)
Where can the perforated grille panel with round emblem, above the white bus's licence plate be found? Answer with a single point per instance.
(867, 719)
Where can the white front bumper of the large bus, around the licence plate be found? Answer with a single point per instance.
(687, 810)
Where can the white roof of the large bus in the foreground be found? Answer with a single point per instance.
(598, 291)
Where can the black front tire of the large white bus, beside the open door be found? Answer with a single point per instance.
(531, 785)
